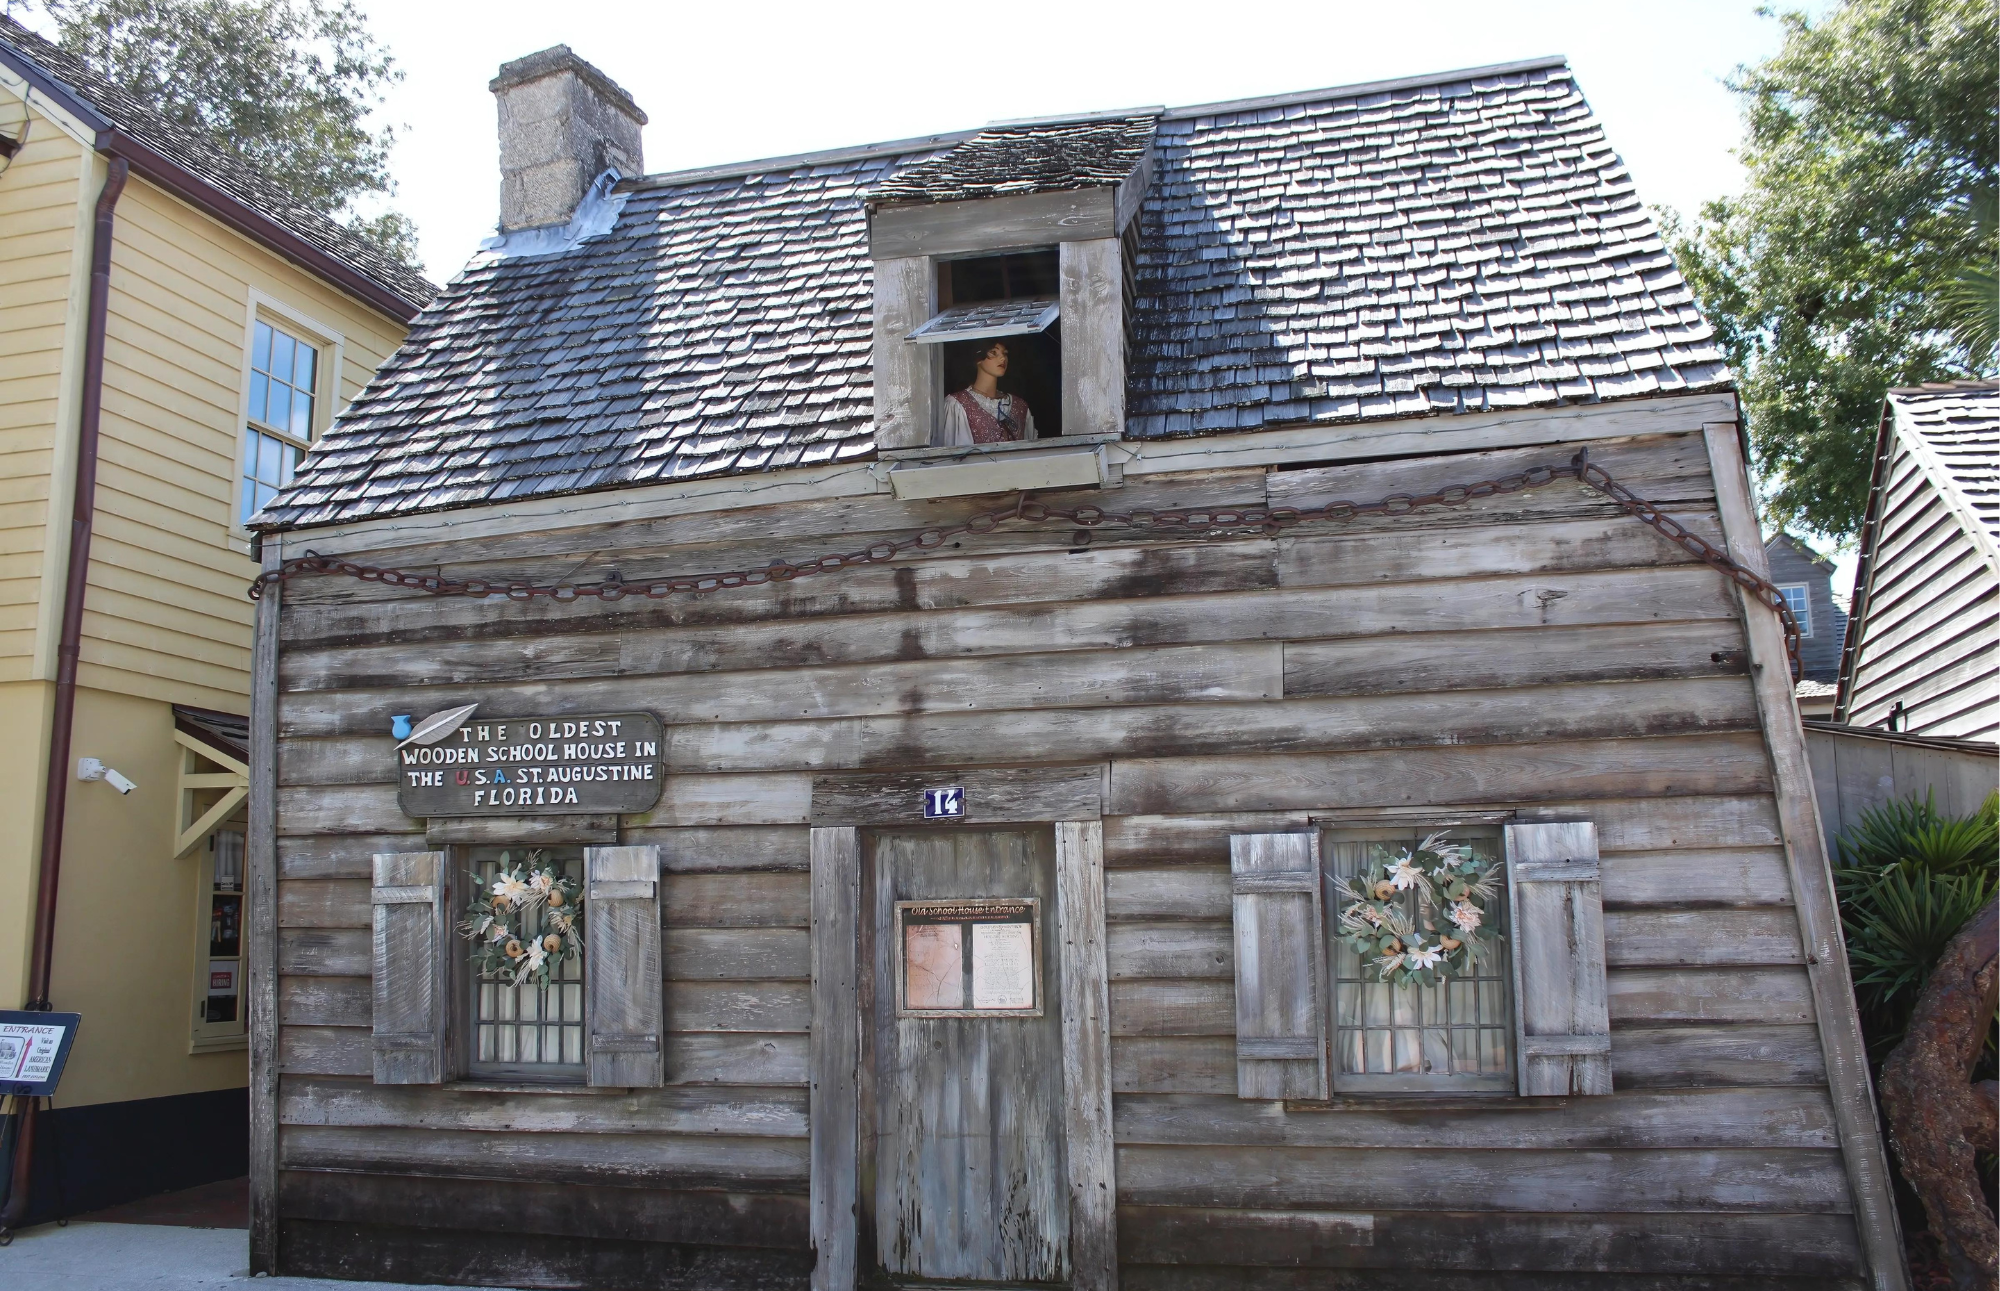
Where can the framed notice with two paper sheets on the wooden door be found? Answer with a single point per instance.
(975, 958)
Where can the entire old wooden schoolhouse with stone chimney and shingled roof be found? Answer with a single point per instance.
(1321, 810)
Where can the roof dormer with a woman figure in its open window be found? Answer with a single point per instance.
(1001, 285)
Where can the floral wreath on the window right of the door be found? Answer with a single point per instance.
(1451, 886)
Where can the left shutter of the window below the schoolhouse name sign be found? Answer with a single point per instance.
(411, 994)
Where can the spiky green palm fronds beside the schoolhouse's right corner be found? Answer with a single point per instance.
(1909, 880)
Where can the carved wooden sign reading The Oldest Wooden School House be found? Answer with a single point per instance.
(535, 766)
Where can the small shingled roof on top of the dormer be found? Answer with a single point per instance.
(1027, 157)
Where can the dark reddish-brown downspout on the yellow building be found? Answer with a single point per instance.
(83, 515)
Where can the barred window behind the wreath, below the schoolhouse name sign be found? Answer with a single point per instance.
(527, 1032)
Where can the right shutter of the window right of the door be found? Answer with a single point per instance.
(1563, 1026)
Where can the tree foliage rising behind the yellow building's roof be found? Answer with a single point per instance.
(285, 85)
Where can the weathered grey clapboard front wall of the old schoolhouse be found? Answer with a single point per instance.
(1537, 652)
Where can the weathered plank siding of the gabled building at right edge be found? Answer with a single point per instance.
(1931, 619)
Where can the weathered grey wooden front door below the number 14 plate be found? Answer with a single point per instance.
(963, 1170)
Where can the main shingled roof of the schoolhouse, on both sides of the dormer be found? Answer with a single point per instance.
(1409, 249)
